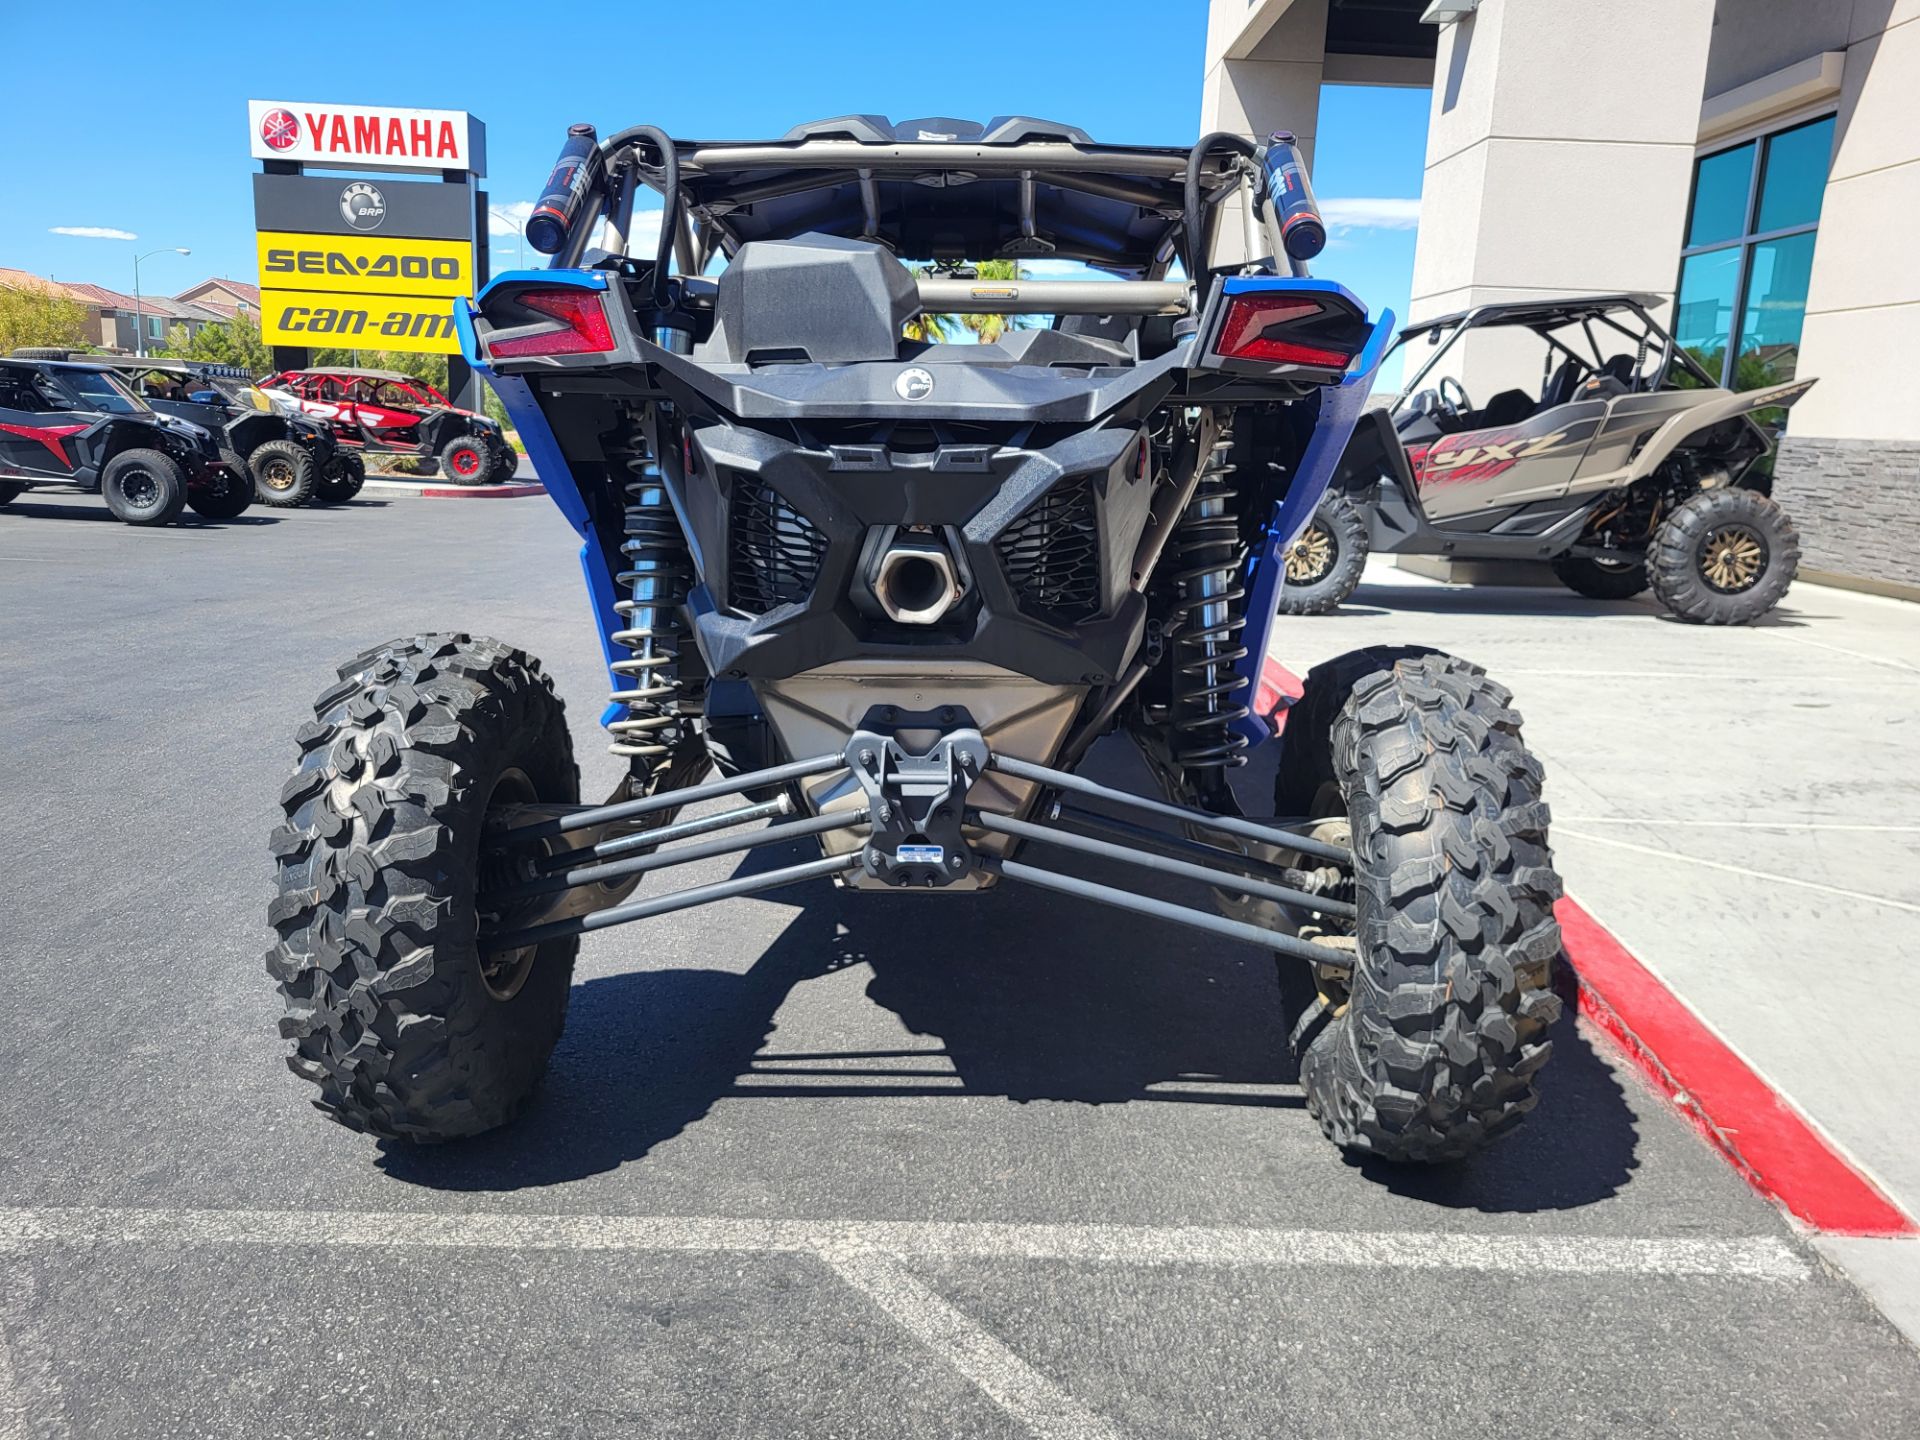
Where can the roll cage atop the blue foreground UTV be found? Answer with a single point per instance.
(946, 191)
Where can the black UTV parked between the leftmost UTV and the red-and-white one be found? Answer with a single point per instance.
(291, 460)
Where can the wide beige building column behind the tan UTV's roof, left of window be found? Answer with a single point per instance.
(1560, 151)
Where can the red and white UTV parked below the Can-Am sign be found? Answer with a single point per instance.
(391, 414)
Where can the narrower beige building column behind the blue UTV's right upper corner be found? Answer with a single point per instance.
(1264, 64)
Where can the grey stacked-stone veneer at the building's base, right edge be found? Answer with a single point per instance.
(1858, 506)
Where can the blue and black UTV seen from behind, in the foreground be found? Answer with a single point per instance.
(884, 596)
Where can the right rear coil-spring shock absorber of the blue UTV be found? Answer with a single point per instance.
(1209, 562)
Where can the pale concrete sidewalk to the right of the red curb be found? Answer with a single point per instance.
(1740, 807)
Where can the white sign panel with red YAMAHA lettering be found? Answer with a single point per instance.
(368, 137)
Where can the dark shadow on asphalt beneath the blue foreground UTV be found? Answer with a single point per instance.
(1028, 1001)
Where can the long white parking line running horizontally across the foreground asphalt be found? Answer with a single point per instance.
(1754, 1259)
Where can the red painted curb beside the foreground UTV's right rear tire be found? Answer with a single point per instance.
(1748, 1120)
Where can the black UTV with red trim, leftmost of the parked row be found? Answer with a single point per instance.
(74, 425)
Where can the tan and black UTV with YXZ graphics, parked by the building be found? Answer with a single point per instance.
(1633, 468)
